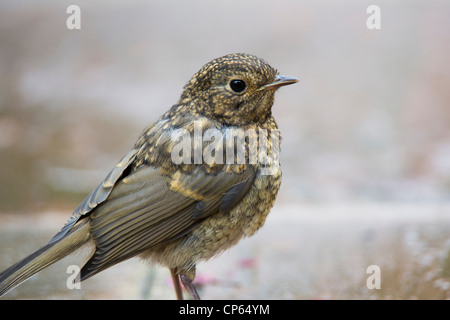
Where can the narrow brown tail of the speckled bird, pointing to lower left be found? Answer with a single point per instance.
(43, 257)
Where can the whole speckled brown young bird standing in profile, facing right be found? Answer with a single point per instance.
(173, 212)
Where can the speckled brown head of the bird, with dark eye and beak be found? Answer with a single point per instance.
(235, 89)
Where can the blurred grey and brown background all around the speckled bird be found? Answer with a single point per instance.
(365, 150)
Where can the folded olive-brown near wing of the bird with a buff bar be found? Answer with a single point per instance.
(148, 207)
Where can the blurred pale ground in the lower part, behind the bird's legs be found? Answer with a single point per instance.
(303, 252)
